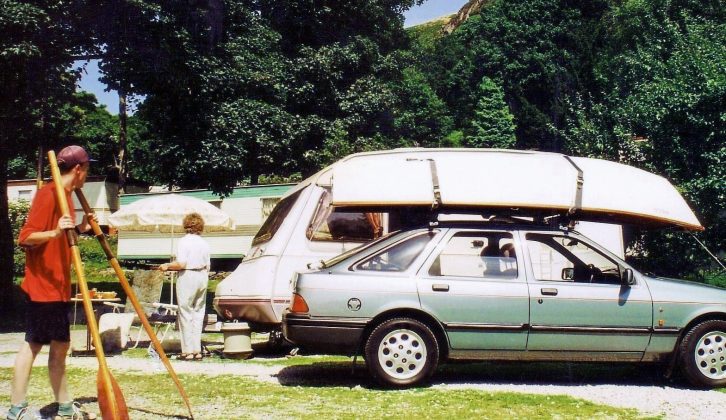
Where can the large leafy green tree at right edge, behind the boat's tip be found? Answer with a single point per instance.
(664, 86)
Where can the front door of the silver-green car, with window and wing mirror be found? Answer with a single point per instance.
(577, 302)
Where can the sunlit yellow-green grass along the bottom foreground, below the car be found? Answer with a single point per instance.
(232, 397)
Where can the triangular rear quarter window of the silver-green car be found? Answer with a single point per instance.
(398, 257)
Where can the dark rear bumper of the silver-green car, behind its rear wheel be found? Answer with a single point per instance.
(329, 335)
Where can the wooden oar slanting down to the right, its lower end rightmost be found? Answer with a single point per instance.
(132, 297)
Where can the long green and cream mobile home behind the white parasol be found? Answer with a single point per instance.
(247, 206)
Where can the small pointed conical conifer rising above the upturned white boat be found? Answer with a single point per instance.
(493, 124)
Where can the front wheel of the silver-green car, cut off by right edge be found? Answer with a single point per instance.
(703, 354)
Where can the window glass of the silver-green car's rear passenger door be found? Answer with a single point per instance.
(478, 255)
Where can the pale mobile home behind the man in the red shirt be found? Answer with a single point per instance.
(101, 194)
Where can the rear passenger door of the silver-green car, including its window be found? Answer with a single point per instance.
(472, 283)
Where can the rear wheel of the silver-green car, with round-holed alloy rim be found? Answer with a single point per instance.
(401, 352)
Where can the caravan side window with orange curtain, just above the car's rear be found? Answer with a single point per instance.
(330, 224)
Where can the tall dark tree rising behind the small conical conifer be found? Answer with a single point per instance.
(542, 52)
